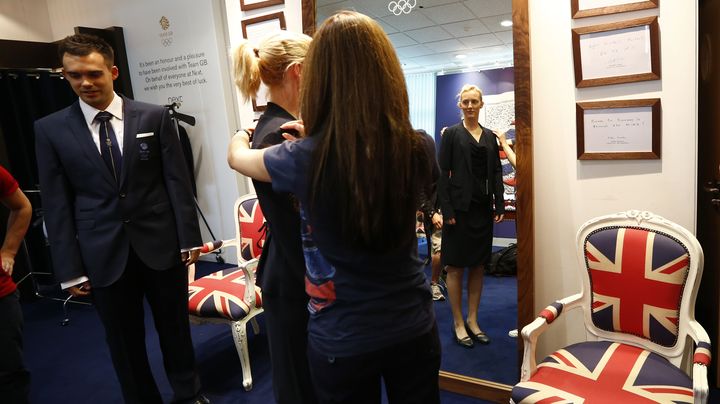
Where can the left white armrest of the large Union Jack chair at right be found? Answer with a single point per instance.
(532, 331)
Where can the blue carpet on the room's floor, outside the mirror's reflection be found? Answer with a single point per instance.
(71, 364)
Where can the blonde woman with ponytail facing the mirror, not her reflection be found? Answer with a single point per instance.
(277, 63)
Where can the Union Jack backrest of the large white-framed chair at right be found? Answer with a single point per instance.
(641, 275)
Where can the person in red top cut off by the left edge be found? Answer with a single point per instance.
(14, 378)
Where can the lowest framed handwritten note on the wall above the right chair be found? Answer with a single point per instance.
(618, 130)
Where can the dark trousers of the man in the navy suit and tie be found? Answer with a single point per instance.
(120, 307)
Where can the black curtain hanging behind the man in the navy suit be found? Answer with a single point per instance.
(25, 96)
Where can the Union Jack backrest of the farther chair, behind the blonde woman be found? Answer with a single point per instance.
(250, 228)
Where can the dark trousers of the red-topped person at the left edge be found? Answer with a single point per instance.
(14, 378)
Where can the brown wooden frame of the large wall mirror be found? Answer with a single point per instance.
(454, 382)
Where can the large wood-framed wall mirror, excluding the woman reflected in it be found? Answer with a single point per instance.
(428, 39)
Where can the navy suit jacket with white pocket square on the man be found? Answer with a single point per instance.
(92, 221)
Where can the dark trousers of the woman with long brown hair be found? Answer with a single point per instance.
(409, 370)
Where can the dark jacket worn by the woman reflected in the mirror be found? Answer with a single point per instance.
(456, 179)
